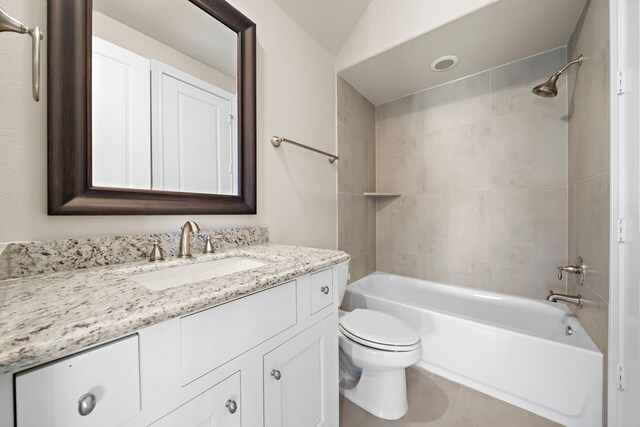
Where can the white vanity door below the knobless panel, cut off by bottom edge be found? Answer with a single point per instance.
(217, 407)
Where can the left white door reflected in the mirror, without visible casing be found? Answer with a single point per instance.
(121, 119)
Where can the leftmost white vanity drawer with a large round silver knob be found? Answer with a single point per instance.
(50, 395)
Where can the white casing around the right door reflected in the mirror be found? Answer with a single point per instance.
(158, 69)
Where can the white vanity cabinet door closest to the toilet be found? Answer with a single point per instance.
(300, 379)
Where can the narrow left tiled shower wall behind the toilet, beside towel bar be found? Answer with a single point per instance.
(356, 175)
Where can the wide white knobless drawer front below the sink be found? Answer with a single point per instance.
(215, 336)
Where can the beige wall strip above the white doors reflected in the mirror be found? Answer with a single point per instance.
(137, 42)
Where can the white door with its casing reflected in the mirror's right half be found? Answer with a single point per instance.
(193, 136)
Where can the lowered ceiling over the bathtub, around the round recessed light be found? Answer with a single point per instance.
(503, 32)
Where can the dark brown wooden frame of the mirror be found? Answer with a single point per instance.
(71, 159)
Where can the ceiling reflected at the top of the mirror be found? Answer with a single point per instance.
(180, 25)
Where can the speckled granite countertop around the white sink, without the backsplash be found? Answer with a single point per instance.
(48, 316)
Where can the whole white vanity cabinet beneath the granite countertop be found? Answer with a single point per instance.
(268, 359)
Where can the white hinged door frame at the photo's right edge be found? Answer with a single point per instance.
(624, 381)
